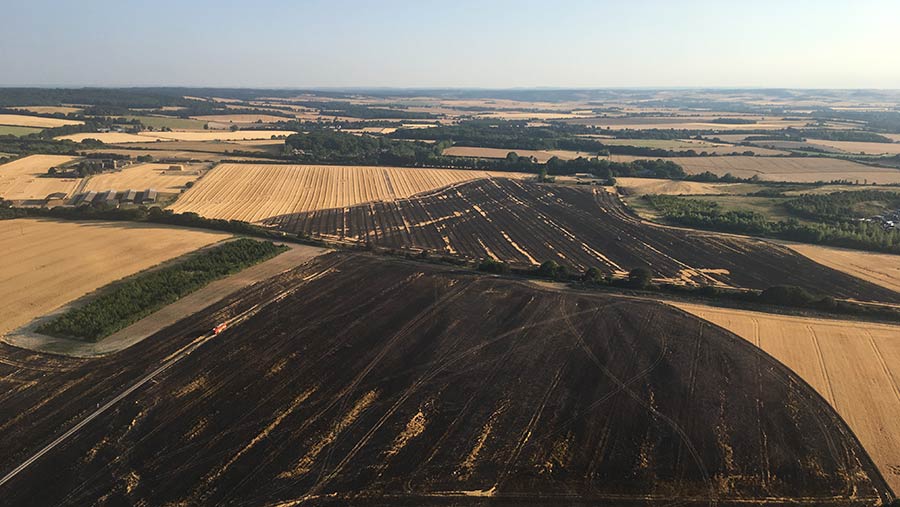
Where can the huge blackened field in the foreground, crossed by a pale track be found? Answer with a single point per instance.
(363, 381)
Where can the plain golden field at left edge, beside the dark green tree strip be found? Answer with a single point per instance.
(49, 263)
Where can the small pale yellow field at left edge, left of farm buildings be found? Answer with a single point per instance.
(20, 179)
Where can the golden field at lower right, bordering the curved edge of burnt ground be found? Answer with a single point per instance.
(853, 365)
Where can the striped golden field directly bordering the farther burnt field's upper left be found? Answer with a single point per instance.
(255, 192)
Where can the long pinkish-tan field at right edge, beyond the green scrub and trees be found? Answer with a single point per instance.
(797, 169)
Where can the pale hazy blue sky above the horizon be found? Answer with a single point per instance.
(452, 43)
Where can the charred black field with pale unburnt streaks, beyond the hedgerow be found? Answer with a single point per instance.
(526, 223)
